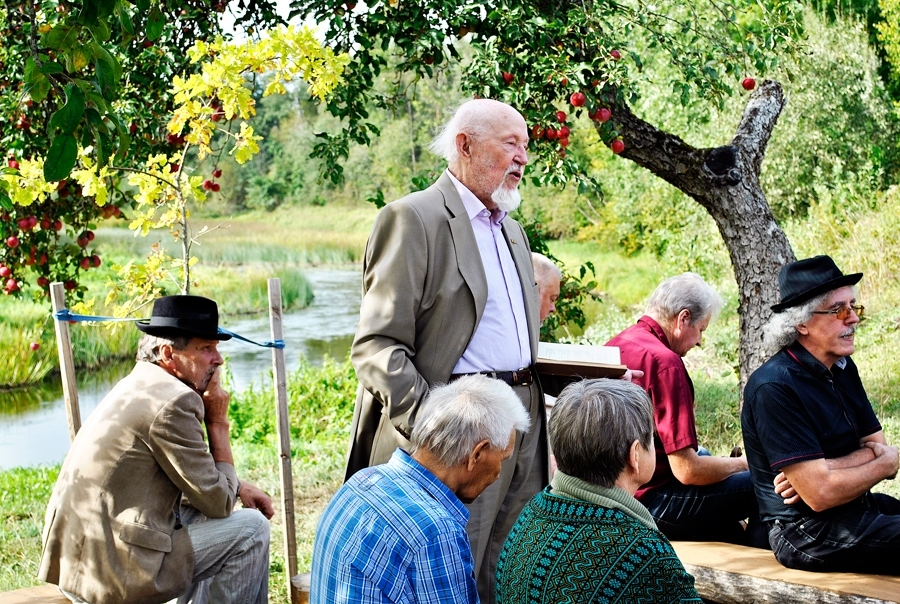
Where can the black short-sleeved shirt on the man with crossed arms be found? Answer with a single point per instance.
(796, 409)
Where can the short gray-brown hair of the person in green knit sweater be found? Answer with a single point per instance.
(593, 425)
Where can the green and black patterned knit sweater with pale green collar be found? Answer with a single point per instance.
(568, 548)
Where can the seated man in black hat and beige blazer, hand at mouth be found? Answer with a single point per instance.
(142, 511)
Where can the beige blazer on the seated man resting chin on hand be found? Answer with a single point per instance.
(110, 532)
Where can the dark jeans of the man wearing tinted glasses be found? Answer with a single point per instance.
(862, 537)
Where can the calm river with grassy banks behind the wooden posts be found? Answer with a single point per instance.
(33, 426)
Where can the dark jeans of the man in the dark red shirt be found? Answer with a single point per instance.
(710, 512)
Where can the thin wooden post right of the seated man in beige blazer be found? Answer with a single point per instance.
(284, 437)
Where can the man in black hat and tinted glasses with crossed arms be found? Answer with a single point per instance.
(814, 445)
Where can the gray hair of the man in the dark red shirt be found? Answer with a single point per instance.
(687, 291)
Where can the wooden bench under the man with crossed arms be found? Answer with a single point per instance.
(733, 574)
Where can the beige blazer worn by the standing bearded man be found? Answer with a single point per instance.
(424, 291)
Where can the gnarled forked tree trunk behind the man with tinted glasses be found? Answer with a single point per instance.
(725, 181)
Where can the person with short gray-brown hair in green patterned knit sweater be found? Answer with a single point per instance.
(585, 538)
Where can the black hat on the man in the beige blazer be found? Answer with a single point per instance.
(191, 316)
